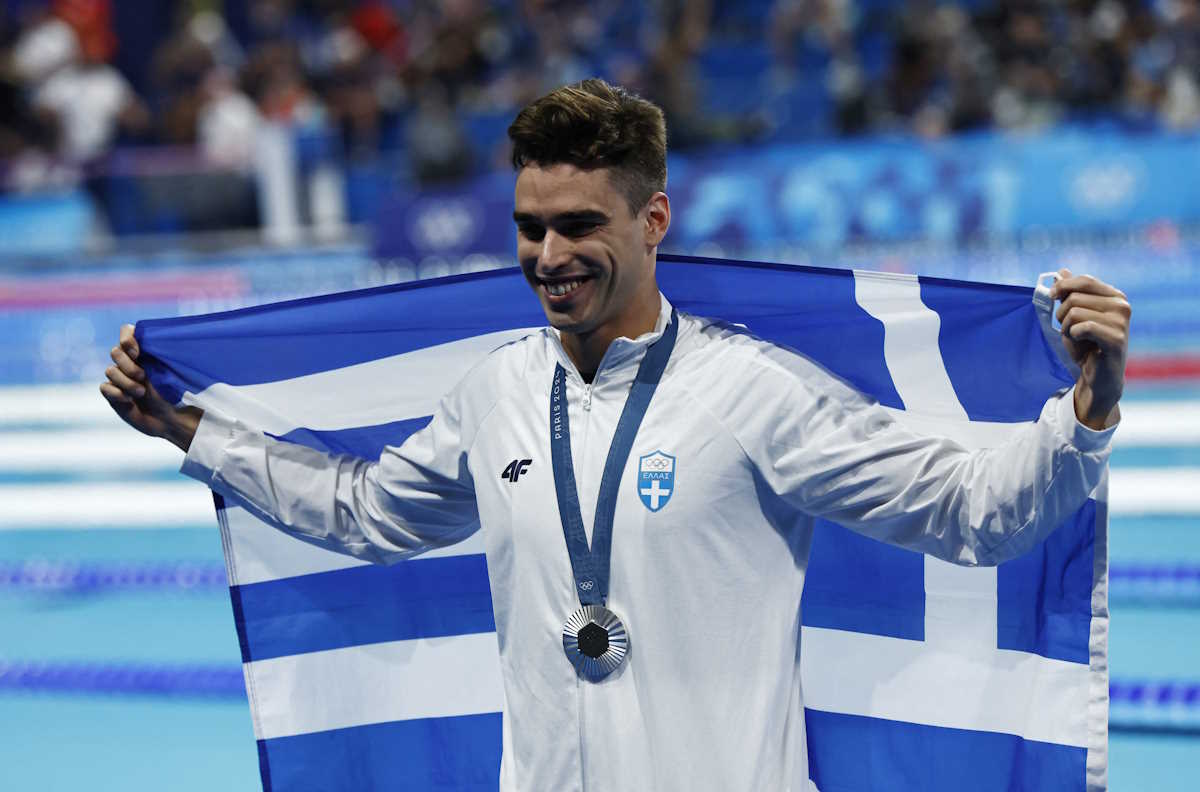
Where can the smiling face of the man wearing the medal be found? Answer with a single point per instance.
(583, 250)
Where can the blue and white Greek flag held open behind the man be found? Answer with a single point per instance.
(917, 675)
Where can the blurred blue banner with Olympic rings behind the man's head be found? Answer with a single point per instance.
(826, 195)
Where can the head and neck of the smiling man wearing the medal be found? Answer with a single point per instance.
(587, 235)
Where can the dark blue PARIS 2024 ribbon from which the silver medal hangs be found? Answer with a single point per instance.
(591, 566)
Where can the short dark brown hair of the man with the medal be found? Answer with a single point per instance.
(596, 125)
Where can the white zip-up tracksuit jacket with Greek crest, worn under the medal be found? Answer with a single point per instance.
(710, 586)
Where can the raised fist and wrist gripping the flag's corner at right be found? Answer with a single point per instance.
(1096, 332)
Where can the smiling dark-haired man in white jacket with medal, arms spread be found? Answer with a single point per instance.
(649, 619)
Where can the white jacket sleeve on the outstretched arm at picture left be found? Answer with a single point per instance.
(415, 497)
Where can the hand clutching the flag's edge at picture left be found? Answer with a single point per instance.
(139, 404)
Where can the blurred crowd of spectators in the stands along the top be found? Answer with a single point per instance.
(434, 83)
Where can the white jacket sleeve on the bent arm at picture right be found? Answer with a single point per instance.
(832, 453)
